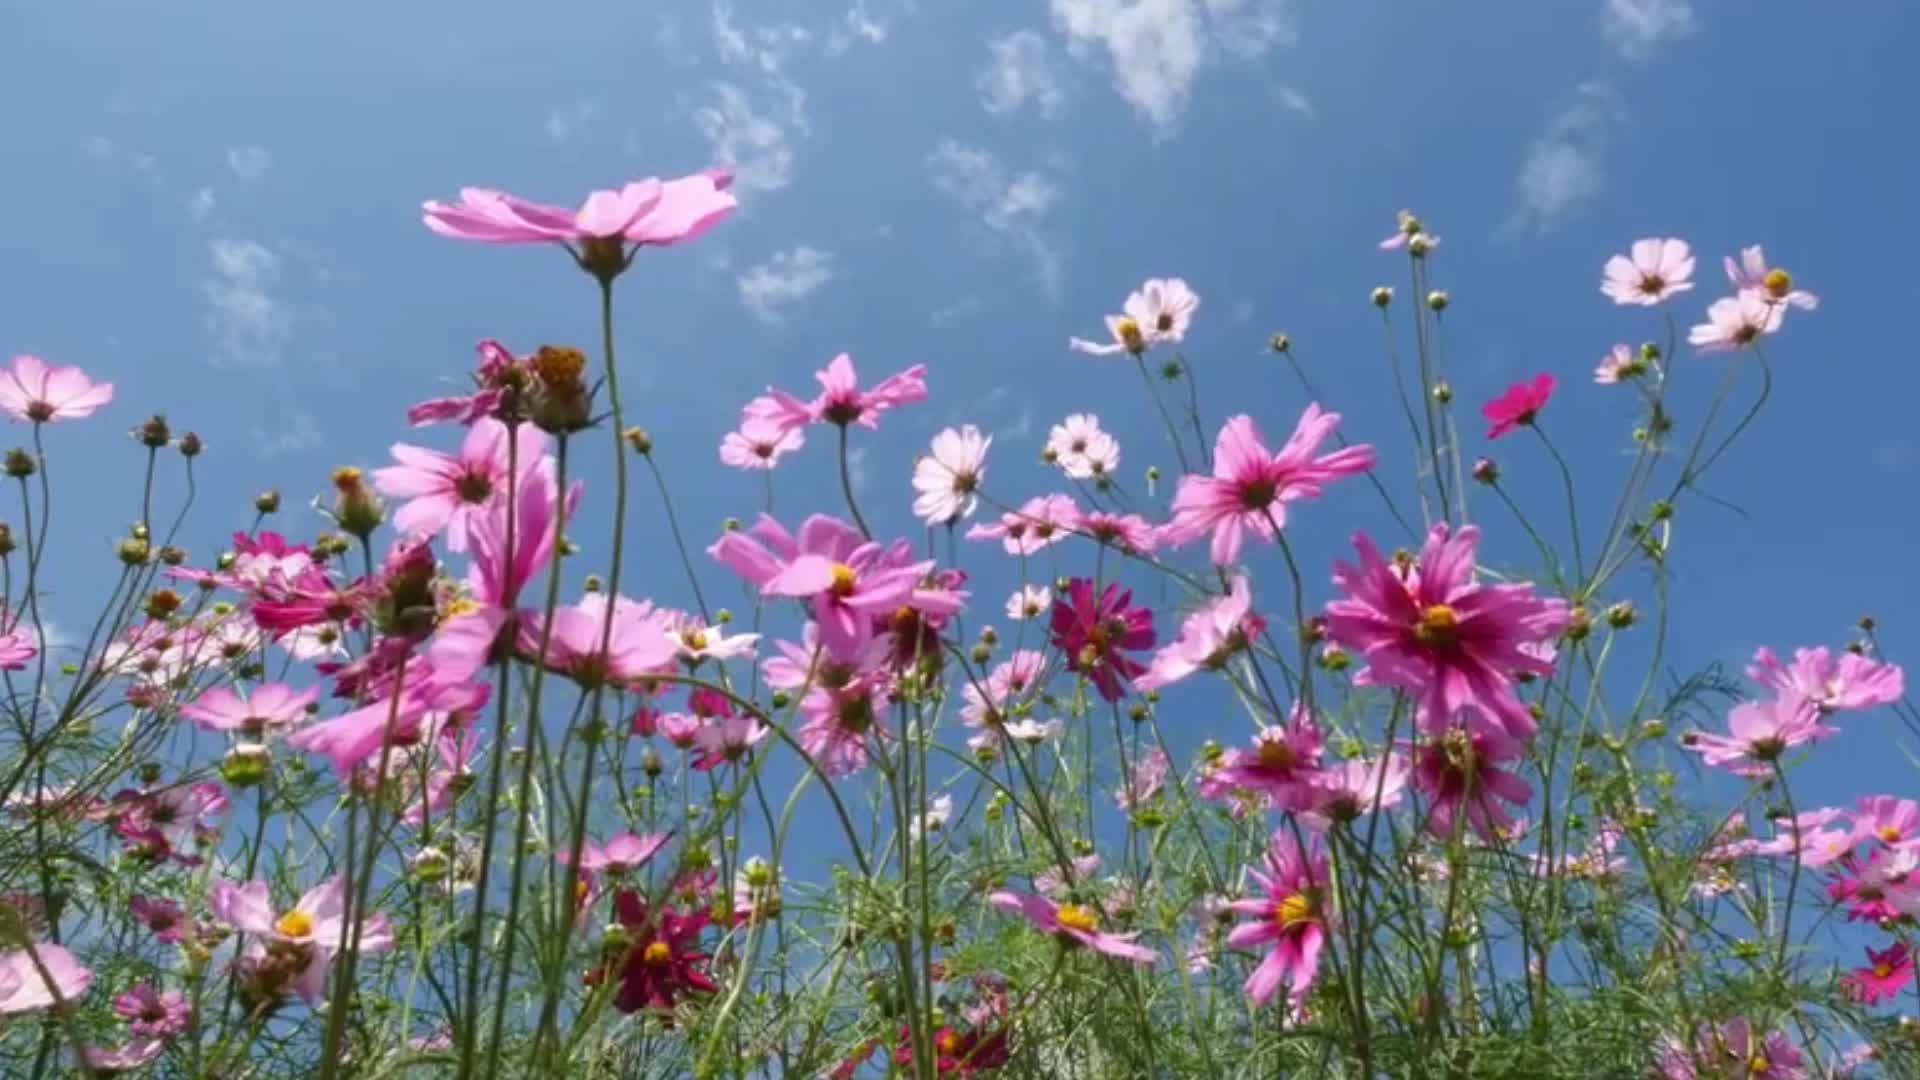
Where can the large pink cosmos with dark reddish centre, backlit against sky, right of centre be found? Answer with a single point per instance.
(1251, 485)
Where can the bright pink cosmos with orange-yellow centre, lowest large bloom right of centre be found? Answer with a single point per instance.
(1291, 918)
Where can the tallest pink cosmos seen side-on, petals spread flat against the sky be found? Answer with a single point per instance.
(642, 212)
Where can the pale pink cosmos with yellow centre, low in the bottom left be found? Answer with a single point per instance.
(306, 937)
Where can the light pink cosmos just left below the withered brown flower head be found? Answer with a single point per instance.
(448, 491)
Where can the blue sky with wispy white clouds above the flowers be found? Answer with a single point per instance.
(216, 205)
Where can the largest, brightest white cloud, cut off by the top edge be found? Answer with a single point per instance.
(1159, 47)
